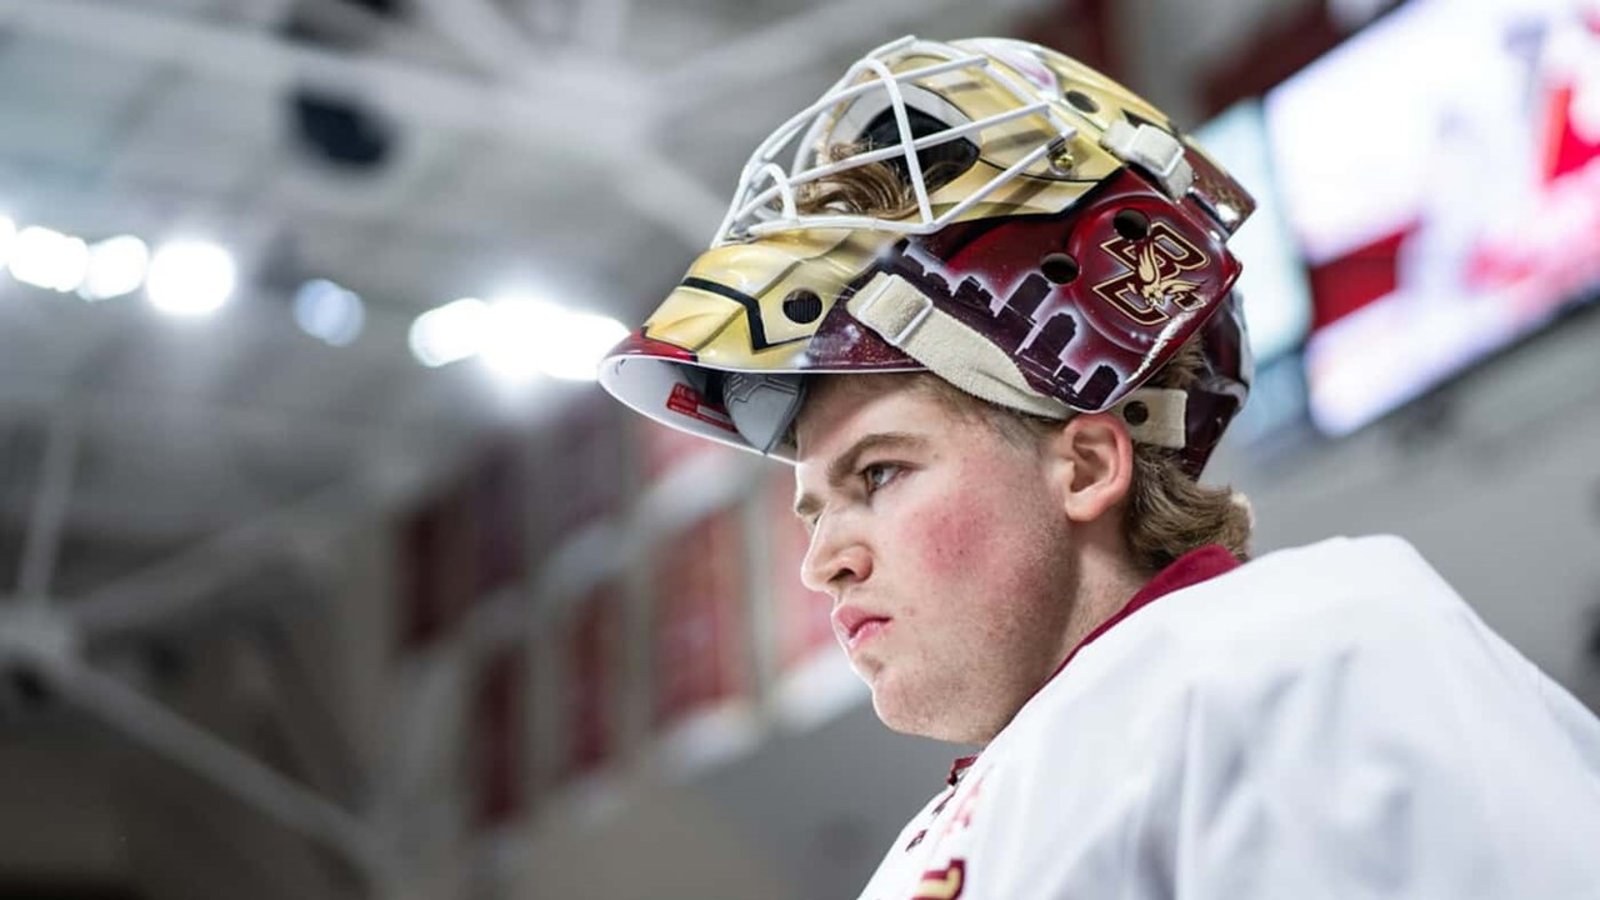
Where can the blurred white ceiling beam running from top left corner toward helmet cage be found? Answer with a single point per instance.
(543, 115)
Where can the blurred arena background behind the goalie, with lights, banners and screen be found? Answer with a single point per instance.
(327, 574)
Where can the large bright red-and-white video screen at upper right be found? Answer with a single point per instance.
(1441, 174)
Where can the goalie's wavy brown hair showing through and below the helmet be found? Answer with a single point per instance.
(1167, 513)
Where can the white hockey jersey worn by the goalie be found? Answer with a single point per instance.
(1322, 723)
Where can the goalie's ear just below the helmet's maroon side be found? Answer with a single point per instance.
(1092, 464)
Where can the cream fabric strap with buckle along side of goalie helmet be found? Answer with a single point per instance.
(910, 321)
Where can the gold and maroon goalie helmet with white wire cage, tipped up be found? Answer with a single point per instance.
(1036, 235)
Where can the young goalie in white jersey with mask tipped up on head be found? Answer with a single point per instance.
(986, 313)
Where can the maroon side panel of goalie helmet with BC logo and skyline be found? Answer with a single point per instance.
(1089, 302)
